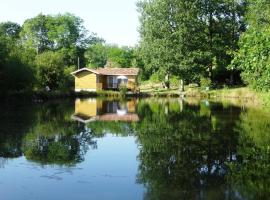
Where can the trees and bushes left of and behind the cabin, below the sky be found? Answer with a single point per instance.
(47, 48)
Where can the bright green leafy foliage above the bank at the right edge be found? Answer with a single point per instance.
(253, 57)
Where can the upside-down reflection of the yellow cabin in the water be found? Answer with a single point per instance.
(87, 110)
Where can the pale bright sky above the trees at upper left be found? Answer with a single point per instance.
(116, 21)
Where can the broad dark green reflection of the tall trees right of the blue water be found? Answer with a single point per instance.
(181, 155)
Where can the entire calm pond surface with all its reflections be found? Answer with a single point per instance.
(136, 149)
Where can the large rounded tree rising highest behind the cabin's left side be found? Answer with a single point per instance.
(64, 32)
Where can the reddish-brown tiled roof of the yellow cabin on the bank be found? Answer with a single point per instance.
(110, 71)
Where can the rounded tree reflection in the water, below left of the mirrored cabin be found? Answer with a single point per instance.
(55, 139)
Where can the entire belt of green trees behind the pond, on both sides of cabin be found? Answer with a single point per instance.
(209, 42)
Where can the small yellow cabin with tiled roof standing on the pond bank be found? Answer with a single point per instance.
(105, 79)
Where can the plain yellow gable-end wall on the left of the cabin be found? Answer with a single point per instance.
(85, 80)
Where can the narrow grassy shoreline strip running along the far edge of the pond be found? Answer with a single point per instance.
(243, 94)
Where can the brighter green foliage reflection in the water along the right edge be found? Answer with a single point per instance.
(250, 174)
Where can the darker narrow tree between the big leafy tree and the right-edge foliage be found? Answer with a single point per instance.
(222, 24)
